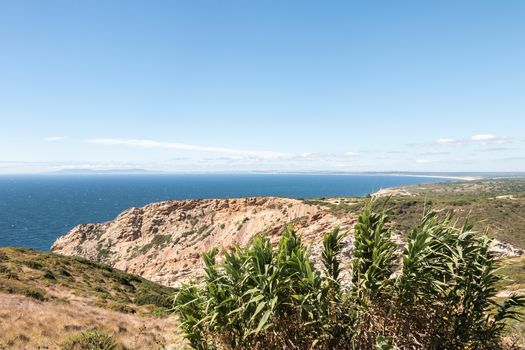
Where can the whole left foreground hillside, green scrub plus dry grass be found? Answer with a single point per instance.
(46, 299)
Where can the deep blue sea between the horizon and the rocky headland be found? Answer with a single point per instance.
(35, 210)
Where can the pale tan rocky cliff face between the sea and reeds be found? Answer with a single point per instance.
(163, 241)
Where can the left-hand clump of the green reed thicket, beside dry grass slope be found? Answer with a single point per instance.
(259, 295)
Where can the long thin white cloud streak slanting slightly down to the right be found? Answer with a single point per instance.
(183, 146)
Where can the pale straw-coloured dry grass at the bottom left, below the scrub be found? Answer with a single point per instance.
(26, 323)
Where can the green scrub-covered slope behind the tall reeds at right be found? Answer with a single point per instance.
(495, 207)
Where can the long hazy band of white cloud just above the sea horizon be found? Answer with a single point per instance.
(442, 154)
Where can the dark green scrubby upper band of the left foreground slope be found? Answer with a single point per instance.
(46, 276)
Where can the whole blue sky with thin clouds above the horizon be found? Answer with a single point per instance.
(262, 85)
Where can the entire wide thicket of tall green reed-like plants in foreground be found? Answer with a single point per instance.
(438, 293)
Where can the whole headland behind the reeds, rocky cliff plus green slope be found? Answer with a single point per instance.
(163, 241)
